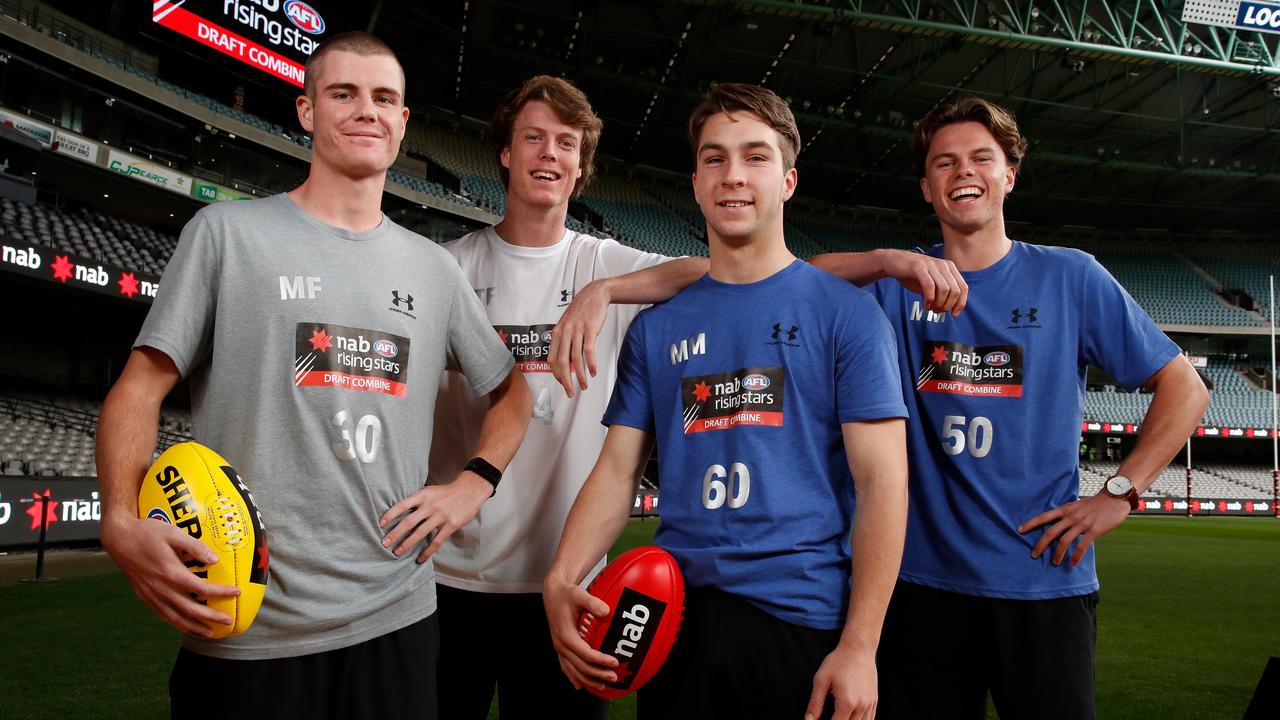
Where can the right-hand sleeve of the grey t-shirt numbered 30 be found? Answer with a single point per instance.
(476, 350)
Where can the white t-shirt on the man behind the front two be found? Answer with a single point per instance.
(511, 544)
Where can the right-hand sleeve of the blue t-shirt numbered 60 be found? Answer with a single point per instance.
(867, 379)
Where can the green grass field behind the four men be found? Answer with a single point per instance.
(1190, 614)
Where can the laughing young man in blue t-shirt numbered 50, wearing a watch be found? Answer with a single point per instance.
(998, 591)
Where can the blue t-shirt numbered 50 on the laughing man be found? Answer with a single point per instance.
(998, 398)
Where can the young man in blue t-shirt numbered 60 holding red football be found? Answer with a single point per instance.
(772, 394)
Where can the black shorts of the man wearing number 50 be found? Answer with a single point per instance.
(941, 653)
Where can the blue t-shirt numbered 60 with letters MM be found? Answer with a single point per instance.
(746, 388)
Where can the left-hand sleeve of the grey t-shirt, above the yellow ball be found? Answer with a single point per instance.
(181, 321)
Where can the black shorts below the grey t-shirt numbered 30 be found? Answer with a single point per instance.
(392, 676)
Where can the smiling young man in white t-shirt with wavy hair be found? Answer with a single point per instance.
(527, 270)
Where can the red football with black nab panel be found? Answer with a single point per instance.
(646, 594)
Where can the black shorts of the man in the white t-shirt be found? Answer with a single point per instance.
(501, 641)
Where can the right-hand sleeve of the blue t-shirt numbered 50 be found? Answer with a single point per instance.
(1119, 336)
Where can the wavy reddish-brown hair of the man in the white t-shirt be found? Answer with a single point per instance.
(570, 106)
